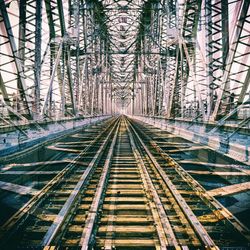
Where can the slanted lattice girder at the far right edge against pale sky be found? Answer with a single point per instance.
(234, 84)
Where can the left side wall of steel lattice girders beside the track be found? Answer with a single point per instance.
(47, 75)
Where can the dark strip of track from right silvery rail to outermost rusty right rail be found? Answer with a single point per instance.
(224, 228)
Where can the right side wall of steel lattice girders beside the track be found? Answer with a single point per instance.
(207, 76)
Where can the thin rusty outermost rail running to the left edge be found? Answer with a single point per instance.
(21, 215)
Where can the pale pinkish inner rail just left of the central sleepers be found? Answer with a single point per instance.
(91, 218)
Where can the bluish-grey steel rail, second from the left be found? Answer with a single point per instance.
(60, 218)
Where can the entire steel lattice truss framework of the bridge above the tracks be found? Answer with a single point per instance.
(179, 59)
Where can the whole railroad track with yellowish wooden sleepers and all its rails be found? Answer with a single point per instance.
(128, 195)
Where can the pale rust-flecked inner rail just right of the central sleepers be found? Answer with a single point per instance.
(163, 226)
